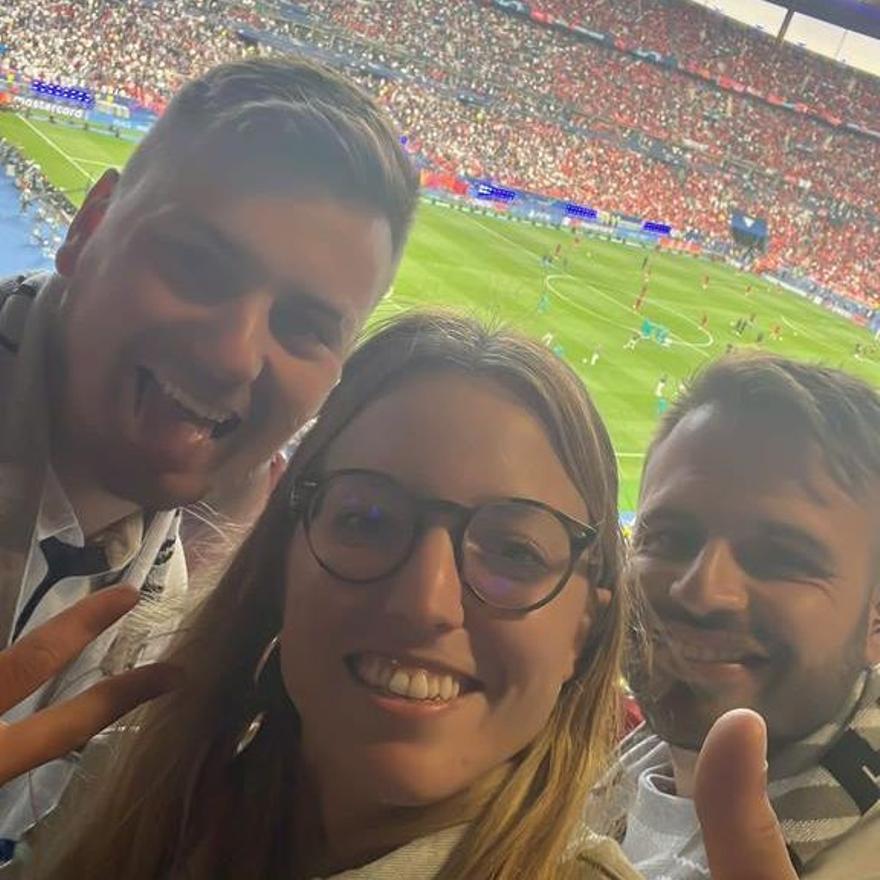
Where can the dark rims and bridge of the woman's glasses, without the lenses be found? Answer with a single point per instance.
(581, 535)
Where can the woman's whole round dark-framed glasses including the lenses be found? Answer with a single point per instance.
(513, 554)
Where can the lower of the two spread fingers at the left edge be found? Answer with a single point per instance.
(57, 730)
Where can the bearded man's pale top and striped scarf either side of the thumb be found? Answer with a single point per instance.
(825, 790)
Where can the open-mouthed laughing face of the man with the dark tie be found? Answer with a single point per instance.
(200, 332)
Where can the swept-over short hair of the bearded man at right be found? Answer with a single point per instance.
(837, 411)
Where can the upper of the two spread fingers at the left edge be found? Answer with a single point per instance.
(39, 655)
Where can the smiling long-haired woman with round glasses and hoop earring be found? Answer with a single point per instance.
(410, 667)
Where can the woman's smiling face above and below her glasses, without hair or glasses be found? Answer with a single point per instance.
(482, 684)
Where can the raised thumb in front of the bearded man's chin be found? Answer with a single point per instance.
(740, 830)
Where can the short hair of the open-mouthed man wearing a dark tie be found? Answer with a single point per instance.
(285, 123)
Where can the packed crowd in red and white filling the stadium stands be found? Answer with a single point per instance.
(532, 108)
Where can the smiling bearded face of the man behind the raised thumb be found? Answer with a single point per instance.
(760, 572)
